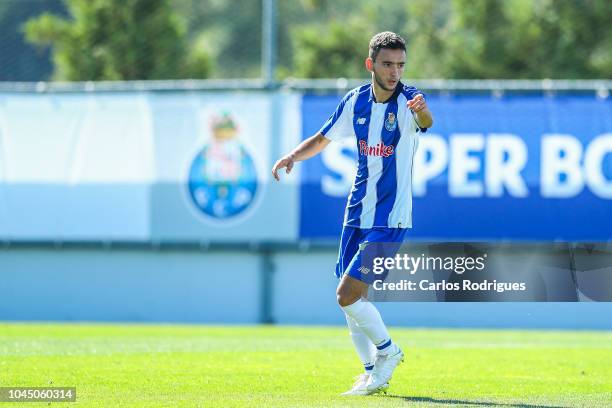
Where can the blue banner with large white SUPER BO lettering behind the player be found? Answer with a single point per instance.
(517, 167)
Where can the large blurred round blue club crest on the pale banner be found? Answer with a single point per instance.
(223, 180)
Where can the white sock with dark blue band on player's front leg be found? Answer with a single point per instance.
(369, 321)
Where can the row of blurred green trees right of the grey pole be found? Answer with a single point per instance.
(469, 39)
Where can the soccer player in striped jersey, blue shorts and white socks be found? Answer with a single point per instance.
(385, 118)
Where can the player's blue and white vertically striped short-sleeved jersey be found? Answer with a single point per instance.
(382, 192)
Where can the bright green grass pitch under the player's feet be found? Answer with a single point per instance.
(278, 366)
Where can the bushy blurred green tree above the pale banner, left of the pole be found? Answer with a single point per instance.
(118, 40)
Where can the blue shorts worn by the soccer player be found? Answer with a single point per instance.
(353, 243)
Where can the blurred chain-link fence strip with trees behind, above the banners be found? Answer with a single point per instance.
(179, 39)
